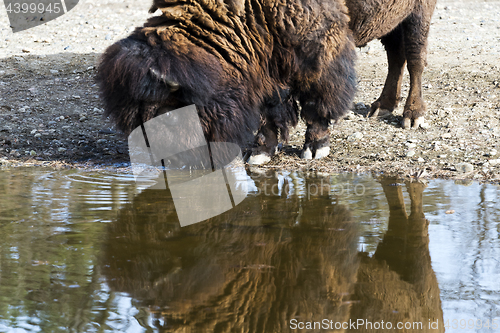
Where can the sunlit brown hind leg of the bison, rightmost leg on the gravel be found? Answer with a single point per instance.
(416, 31)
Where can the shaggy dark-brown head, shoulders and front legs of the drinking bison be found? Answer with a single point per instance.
(243, 63)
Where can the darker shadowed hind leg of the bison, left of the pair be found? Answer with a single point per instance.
(391, 94)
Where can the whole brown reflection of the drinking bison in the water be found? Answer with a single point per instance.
(271, 259)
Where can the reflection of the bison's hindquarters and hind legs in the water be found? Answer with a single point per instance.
(398, 284)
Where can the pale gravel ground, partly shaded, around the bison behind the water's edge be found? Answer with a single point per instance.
(50, 113)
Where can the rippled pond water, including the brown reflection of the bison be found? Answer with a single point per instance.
(93, 252)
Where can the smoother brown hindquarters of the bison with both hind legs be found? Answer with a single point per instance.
(403, 27)
